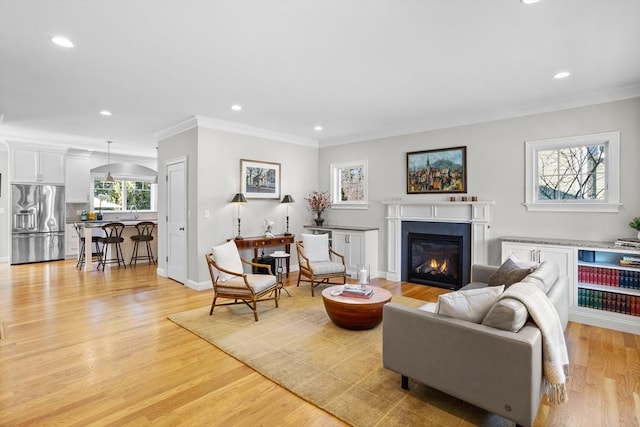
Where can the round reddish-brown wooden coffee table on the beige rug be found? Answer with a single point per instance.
(355, 313)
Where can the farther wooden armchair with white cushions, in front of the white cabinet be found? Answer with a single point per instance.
(321, 263)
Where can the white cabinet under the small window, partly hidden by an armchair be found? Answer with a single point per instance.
(358, 245)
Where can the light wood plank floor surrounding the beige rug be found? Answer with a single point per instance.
(97, 349)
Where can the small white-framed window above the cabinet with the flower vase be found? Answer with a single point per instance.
(349, 185)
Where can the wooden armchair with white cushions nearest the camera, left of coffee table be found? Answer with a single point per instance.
(229, 281)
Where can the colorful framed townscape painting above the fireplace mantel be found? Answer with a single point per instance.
(437, 171)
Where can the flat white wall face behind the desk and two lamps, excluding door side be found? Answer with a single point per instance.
(219, 155)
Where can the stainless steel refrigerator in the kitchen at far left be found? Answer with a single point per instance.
(37, 223)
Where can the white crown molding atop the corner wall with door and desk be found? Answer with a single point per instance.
(233, 127)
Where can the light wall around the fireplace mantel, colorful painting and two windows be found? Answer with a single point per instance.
(495, 162)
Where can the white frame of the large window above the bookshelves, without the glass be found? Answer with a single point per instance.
(612, 165)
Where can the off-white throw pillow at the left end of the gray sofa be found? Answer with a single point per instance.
(471, 305)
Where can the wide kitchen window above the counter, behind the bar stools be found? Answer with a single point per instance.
(123, 195)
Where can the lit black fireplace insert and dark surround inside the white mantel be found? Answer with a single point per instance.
(436, 253)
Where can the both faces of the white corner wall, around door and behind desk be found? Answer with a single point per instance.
(213, 177)
